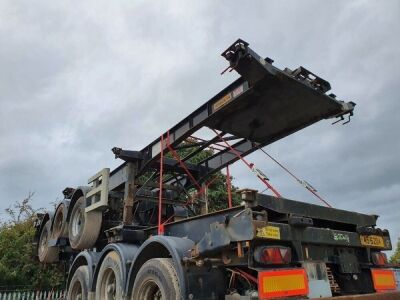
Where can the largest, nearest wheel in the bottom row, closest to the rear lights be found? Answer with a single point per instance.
(157, 279)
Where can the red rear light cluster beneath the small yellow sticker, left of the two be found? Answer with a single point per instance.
(272, 255)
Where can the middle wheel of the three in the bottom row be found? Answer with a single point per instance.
(109, 283)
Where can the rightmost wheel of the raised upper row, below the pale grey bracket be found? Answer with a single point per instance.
(83, 228)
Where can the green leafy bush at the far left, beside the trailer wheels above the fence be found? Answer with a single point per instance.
(19, 269)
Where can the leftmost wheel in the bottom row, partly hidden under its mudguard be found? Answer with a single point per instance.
(78, 288)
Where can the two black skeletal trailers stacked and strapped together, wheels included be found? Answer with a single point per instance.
(143, 231)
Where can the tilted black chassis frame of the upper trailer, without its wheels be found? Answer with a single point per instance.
(264, 105)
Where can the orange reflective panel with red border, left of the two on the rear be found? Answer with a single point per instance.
(281, 283)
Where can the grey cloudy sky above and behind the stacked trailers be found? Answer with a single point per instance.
(78, 78)
